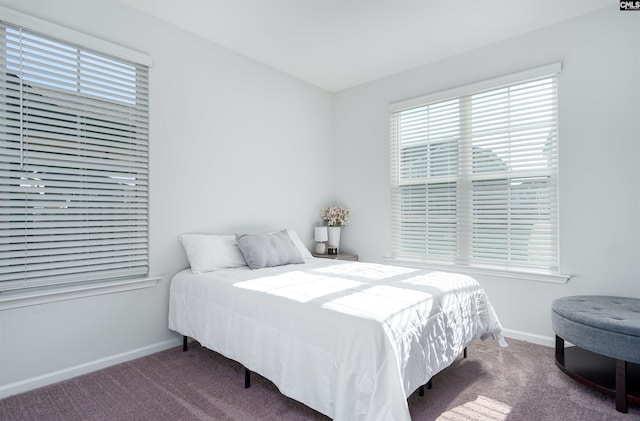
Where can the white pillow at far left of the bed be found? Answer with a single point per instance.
(209, 252)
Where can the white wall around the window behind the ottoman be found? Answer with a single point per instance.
(599, 129)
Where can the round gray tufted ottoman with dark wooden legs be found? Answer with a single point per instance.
(606, 332)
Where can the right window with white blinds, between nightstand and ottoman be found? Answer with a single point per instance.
(475, 175)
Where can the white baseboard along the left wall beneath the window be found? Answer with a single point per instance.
(67, 373)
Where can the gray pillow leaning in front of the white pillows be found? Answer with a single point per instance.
(266, 250)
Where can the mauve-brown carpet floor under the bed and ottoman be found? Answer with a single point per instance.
(520, 382)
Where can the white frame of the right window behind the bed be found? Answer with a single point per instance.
(464, 263)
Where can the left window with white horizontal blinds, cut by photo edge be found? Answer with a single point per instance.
(73, 163)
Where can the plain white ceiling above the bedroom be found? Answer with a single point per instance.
(337, 44)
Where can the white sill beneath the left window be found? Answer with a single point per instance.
(24, 298)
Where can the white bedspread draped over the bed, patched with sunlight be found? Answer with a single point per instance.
(351, 340)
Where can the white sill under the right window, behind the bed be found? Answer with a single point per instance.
(470, 270)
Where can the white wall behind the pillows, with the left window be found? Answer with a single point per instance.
(235, 145)
